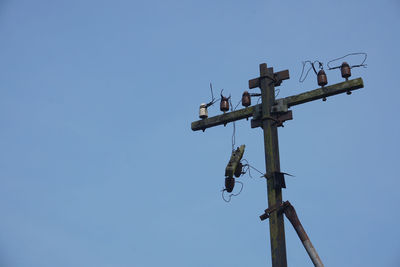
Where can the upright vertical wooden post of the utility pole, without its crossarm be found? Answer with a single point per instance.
(276, 222)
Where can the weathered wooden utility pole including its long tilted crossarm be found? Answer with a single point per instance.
(269, 115)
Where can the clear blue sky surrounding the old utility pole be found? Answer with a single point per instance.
(99, 166)
